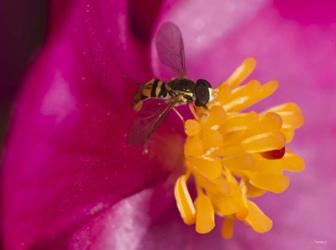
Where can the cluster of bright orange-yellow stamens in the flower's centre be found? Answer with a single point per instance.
(233, 155)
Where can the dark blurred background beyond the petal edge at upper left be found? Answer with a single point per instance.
(23, 28)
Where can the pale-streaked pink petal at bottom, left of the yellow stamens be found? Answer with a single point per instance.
(125, 225)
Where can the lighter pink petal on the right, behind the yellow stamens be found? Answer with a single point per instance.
(301, 57)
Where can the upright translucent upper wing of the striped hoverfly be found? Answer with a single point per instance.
(170, 48)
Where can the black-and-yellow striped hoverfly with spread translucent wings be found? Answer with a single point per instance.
(173, 93)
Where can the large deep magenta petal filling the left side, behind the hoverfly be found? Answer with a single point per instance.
(67, 150)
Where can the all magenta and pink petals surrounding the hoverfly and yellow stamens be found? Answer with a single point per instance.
(71, 182)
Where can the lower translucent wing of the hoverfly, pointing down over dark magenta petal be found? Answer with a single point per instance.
(147, 121)
